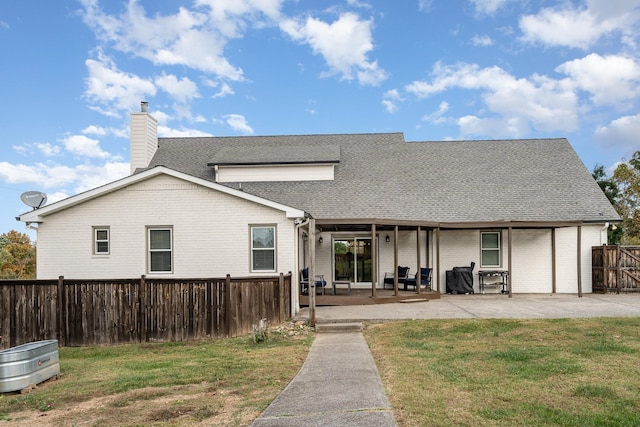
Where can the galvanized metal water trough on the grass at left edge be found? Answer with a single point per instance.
(26, 364)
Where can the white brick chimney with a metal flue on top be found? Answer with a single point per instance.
(144, 137)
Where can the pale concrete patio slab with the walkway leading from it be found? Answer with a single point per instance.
(339, 384)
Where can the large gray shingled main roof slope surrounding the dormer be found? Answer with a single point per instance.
(380, 176)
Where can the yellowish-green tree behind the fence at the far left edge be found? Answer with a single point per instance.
(17, 256)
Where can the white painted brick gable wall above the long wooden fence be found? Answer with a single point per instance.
(210, 231)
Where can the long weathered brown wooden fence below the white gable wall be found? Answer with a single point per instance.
(95, 312)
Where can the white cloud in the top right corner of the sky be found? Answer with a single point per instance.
(582, 26)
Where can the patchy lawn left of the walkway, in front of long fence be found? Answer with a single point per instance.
(234, 370)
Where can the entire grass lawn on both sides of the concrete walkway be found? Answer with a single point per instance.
(579, 372)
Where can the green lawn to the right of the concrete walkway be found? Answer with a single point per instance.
(569, 372)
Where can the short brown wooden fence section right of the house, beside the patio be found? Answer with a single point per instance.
(615, 268)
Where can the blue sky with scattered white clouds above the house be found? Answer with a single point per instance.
(433, 69)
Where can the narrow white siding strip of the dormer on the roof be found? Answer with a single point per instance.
(275, 173)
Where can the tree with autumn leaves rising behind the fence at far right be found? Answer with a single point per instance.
(627, 178)
